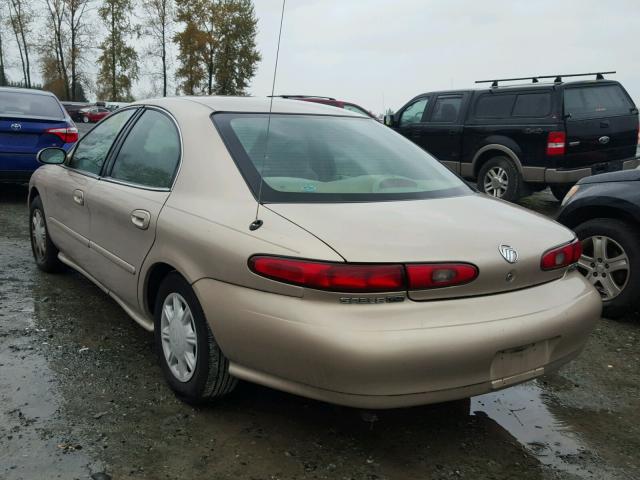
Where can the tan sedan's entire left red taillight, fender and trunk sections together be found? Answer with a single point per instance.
(362, 278)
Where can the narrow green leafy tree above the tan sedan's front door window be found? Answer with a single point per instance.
(118, 61)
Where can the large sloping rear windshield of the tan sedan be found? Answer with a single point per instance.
(313, 158)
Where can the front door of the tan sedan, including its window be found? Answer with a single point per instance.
(68, 207)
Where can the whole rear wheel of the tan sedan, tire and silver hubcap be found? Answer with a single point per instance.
(192, 362)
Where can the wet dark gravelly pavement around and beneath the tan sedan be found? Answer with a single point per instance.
(81, 394)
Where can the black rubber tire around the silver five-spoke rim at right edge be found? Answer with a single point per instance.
(628, 237)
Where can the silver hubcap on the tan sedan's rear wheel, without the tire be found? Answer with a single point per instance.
(179, 338)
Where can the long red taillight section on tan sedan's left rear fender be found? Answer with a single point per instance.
(331, 276)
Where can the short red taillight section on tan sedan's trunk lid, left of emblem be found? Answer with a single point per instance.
(438, 275)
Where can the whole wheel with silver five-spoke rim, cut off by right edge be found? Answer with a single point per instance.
(611, 262)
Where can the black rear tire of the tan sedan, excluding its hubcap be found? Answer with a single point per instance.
(210, 378)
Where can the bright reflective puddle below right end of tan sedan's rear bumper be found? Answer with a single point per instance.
(523, 412)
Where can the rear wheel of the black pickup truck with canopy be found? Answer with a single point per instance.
(500, 178)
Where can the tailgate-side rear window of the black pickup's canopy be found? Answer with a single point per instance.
(596, 101)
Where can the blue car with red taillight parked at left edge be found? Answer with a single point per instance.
(30, 120)
